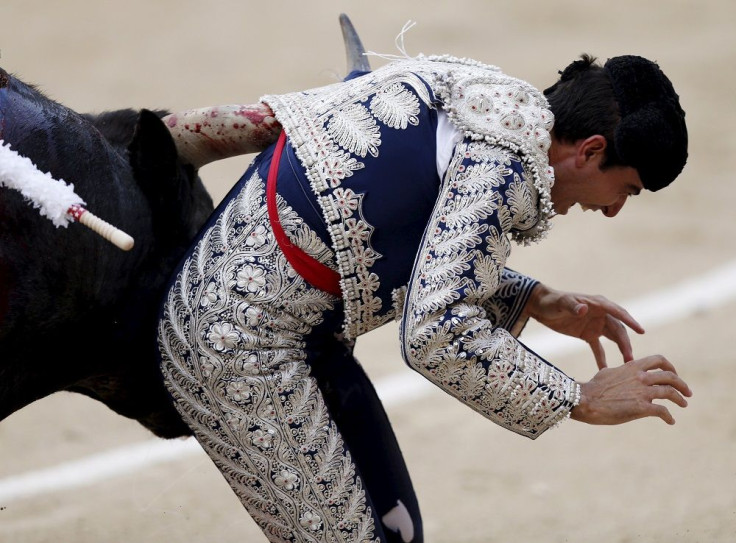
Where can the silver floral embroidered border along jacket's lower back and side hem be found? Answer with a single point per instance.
(332, 134)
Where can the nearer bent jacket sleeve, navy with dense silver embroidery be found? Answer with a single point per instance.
(450, 331)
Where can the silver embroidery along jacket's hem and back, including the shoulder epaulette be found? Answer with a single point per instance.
(334, 130)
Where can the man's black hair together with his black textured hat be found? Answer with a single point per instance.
(633, 105)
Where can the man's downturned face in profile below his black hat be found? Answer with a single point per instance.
(600, 190)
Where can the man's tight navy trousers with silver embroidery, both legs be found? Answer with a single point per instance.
(253, 359)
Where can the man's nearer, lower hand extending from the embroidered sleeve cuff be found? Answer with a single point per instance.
(625, 393)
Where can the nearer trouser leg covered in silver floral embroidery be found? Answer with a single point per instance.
(234, 358)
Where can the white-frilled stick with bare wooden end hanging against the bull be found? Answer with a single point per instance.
(53, 198)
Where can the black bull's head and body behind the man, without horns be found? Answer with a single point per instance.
(76, 313)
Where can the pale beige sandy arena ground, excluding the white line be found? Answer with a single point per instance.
(643, 481)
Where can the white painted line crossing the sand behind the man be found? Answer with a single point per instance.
(701, 294)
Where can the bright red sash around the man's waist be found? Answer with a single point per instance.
(312, 271)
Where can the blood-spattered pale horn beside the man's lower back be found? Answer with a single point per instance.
(214, 133)
